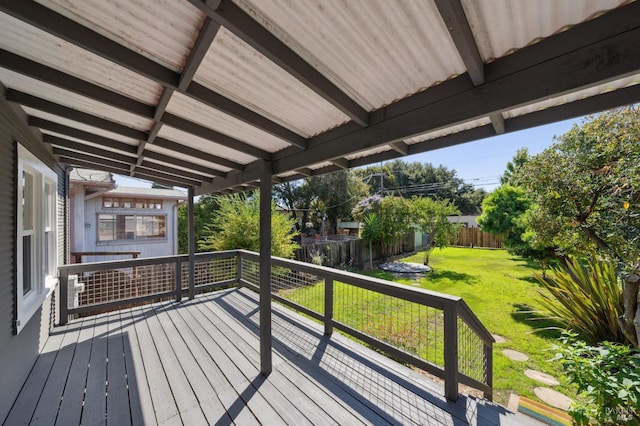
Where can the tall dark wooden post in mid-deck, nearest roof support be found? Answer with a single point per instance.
(265, 270)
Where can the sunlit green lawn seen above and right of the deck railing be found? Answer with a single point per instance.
(501, 291)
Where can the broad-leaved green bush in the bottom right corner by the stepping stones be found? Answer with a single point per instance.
(608, 381)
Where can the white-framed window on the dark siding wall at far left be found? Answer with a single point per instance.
(37, 260)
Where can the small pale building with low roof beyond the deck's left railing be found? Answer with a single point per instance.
(108, 218)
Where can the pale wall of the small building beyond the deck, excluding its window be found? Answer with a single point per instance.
(148, 248)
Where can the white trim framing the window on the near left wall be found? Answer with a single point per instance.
(28, 304)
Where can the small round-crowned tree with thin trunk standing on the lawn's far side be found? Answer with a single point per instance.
(430, 216)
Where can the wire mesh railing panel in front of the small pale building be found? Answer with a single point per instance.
(111, 285)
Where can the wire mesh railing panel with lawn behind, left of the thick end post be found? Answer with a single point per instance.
(412, 327)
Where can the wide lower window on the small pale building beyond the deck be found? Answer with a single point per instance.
(113, 227)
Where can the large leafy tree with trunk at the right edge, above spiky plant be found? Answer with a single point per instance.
(587, 191)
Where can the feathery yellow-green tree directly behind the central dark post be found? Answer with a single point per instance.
(236, 225)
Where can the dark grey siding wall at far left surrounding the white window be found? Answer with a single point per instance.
(18, 353)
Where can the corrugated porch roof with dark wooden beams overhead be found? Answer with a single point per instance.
(199, 93)
